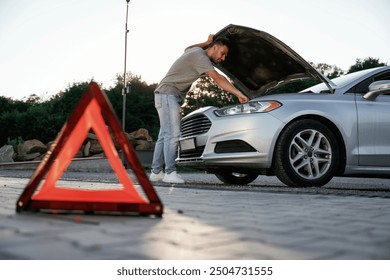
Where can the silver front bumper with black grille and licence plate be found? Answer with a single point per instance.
(238, 142)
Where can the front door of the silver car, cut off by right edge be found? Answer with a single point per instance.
(373, 125)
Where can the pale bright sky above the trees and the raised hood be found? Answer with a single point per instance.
(47, 45)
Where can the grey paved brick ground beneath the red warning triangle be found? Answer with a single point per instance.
(203, 223)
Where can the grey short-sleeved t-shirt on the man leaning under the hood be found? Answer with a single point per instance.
(185, 70)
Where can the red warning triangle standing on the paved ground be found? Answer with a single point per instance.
(89, 114)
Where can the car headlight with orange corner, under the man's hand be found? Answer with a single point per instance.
(248, 108)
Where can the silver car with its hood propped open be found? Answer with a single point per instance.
(338, 127)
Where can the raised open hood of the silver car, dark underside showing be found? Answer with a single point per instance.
(258, 62)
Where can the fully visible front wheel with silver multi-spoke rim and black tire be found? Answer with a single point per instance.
(306, 154)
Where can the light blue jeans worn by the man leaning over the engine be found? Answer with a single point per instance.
(165, 151)
